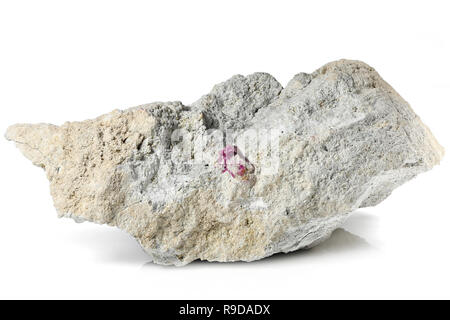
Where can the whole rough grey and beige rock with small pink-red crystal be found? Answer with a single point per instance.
(249, 170)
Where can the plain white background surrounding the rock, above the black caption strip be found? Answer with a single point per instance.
(74, 60)
